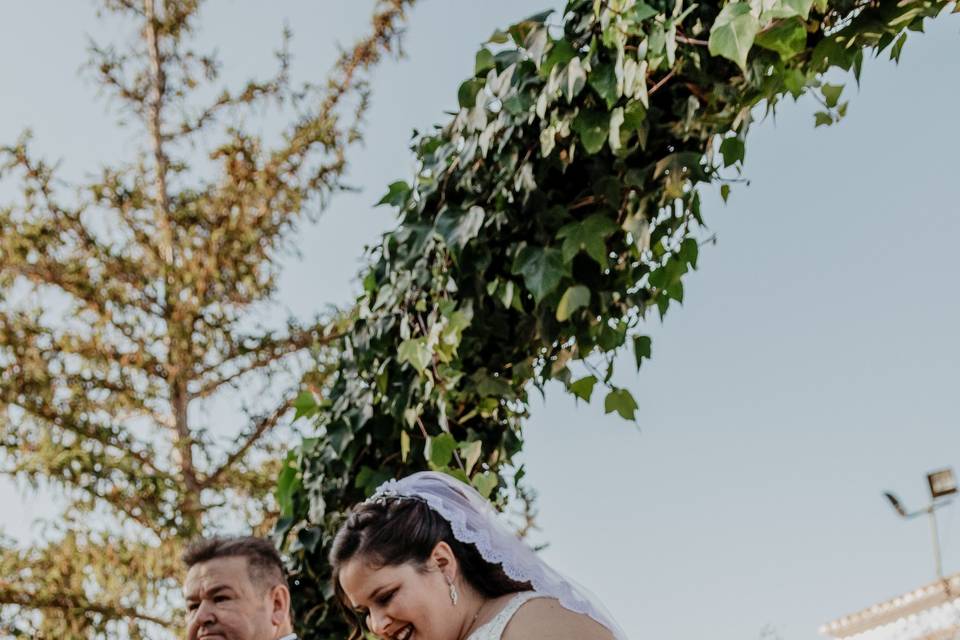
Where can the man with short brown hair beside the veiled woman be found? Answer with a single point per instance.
(236, 589)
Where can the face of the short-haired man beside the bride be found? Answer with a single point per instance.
(224, 604)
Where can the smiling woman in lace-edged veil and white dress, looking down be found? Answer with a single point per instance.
(426, 558)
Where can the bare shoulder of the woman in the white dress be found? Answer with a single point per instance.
(547, 619)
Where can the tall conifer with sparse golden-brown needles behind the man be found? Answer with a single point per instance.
(126, 307)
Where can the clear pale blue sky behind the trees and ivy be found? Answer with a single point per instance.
(814, 364)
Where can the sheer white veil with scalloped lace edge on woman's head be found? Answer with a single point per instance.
(474, 520)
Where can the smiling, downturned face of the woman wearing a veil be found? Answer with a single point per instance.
(403, 602)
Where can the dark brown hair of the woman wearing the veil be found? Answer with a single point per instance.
(394, 531)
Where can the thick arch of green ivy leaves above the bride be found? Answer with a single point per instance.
(556, 210)
